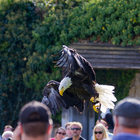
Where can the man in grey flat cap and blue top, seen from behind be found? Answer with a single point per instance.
(127, 120)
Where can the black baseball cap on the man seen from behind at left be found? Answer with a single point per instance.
(41, 111)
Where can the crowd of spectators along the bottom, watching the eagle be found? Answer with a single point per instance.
(35, 123)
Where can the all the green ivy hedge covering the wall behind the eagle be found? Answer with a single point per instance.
(29, 35)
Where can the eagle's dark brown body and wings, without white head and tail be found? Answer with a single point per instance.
(83, 79)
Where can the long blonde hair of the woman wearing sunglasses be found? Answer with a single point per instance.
(102, 128)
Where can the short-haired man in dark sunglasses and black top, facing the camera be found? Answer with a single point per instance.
(76, 128)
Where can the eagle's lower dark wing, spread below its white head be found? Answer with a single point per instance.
(54, 101)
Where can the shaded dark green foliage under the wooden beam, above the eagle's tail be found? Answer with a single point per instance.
(121, 79)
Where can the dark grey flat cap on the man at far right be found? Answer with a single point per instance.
(128, 107)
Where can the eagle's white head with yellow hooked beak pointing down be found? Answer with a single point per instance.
(64, 84)
